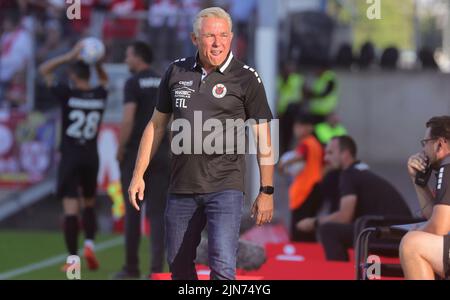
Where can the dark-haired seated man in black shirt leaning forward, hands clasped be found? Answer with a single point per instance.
(361, 192)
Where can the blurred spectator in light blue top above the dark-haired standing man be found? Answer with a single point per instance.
(162, 18)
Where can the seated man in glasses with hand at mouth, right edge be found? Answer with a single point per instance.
(426, 252)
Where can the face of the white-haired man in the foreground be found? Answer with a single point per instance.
(213, 41)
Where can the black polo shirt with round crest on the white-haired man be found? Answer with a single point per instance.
(234, 91)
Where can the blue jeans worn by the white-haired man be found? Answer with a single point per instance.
(186, 217)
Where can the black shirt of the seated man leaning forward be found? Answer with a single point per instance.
(375, 195)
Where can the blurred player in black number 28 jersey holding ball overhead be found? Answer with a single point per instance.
(82, 111)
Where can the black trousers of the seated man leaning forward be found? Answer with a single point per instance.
(336, 239)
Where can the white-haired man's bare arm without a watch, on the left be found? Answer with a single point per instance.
(150, 141)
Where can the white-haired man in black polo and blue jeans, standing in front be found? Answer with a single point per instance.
(206, 187)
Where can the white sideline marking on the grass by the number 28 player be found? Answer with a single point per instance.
(56, 259)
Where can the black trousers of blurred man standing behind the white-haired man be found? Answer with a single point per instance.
(155, 196)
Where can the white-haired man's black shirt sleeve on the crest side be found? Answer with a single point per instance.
(256, 105)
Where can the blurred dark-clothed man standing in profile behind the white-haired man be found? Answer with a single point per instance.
(140, 98)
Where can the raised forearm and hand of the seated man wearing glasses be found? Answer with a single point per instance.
(417, 162)
